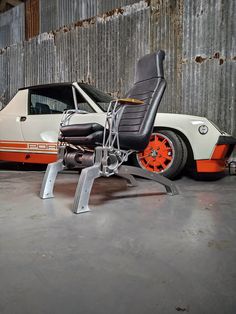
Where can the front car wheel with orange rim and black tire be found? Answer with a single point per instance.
(177, 153)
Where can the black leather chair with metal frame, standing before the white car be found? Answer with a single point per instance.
(102, 151)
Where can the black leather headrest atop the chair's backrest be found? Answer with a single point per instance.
(150, 66)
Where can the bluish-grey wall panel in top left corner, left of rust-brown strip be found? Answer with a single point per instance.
(12, 26)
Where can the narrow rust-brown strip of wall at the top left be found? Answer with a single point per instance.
(31, 18)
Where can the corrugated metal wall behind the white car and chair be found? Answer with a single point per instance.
(103, 49)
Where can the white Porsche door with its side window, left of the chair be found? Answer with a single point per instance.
(45, 108)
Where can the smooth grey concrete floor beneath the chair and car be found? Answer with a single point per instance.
(139, 251)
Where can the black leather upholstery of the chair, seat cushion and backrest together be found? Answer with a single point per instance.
(136, 121)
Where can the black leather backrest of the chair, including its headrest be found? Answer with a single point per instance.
(137, 121)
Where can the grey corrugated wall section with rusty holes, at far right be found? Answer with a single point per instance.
(208, 61)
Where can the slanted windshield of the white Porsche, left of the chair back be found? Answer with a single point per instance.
(100, 98)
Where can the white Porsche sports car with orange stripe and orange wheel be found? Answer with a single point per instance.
(29, 127)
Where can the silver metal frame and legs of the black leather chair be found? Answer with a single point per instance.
(108, 160)
